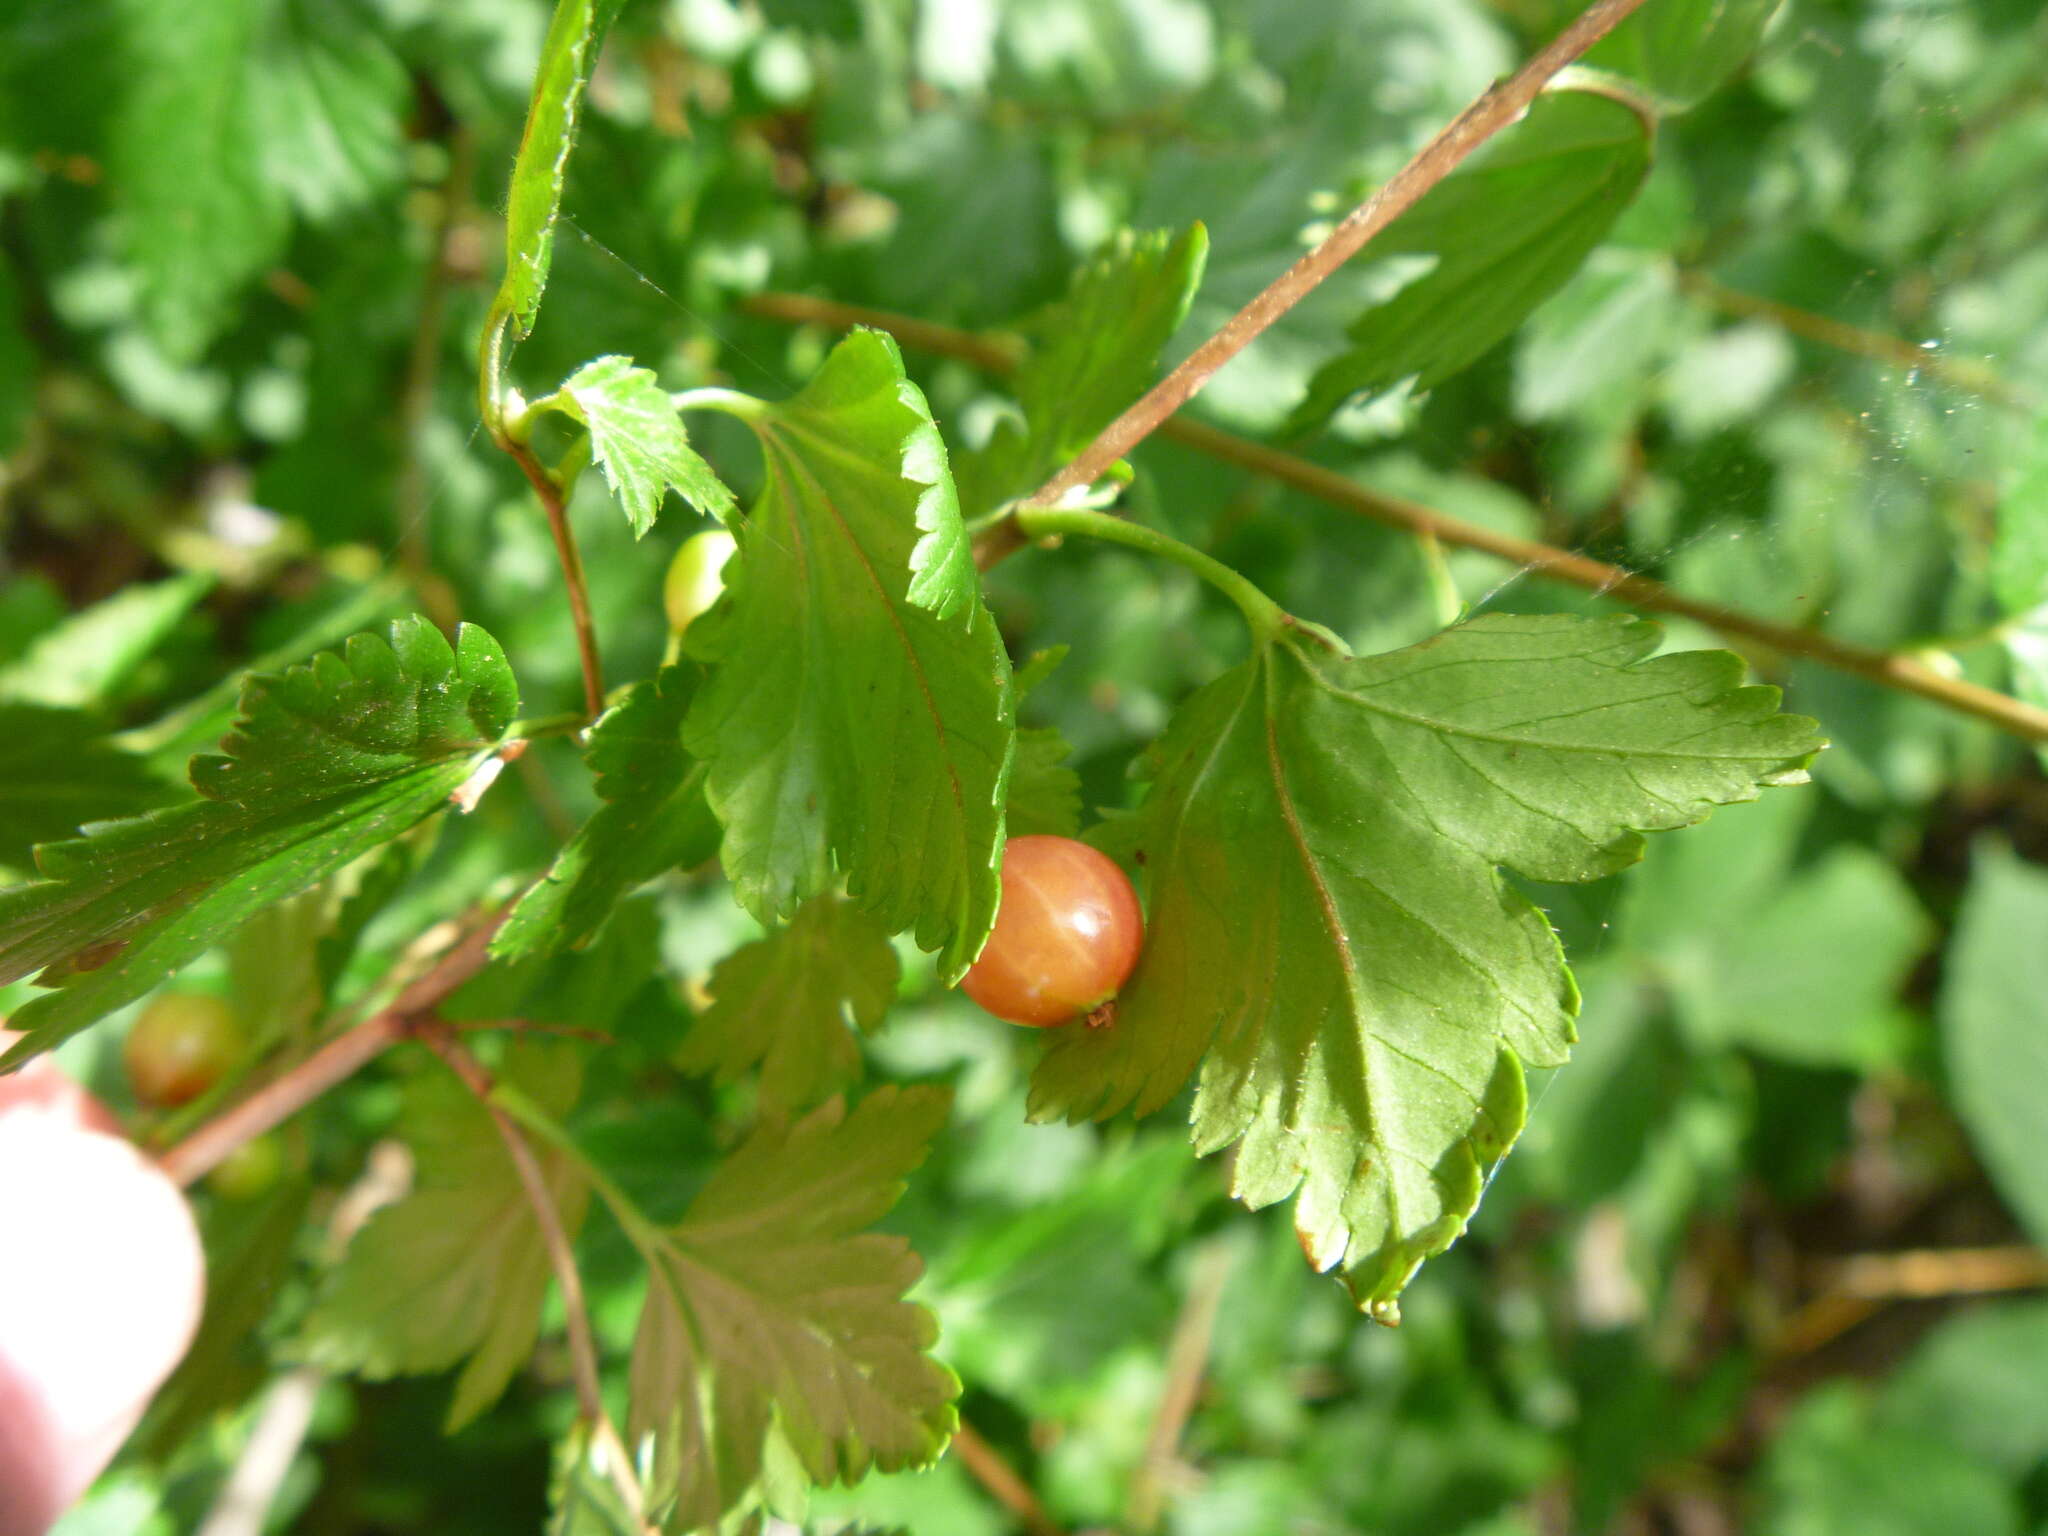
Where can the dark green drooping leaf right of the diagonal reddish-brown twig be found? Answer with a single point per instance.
(1504, 232)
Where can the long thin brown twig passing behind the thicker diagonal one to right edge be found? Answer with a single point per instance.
(1891, 671)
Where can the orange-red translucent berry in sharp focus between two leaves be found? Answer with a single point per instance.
(1068, 935)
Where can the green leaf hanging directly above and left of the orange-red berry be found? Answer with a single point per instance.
(859, 714)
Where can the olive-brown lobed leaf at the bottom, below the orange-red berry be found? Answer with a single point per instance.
(773, 1314)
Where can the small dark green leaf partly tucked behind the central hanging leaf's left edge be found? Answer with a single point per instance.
(654, 820)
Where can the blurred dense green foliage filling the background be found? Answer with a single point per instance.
(1814, 1029)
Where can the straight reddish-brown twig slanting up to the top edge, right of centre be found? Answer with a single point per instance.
(1500, 105)
